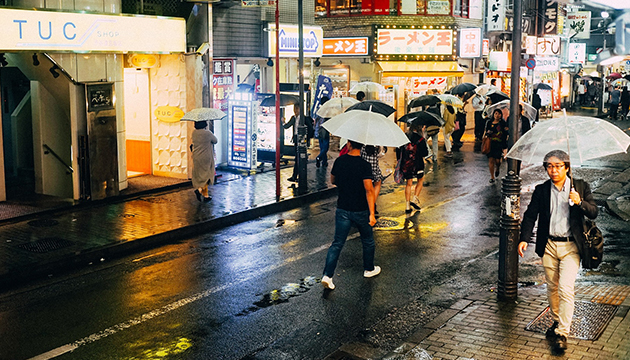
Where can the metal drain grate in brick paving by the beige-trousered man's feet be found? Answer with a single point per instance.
(589, 320)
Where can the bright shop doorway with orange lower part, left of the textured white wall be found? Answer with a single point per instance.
(137, 122)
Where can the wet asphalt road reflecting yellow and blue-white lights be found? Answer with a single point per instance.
(251, 291)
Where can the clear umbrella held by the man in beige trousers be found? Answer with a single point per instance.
(583, 138)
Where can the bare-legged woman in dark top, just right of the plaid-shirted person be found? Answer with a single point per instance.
(412, 156)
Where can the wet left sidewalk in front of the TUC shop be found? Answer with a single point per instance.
(58, 240)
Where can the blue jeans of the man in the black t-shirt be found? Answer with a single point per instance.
(343, 221)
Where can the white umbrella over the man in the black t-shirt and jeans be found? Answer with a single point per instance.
(366, 127)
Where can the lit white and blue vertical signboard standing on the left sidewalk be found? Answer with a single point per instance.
(241, 138)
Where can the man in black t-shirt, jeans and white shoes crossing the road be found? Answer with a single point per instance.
(355, 206)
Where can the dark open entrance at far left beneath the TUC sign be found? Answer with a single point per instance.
(17, 133)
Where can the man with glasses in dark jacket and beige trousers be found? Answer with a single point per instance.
(560, 205)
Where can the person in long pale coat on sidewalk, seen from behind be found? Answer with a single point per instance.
(202, 147)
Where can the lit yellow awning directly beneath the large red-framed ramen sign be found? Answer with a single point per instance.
(421, 68)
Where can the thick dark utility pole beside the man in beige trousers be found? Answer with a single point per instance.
(511, 185)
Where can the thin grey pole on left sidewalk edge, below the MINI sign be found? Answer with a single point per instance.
(301, 155)
